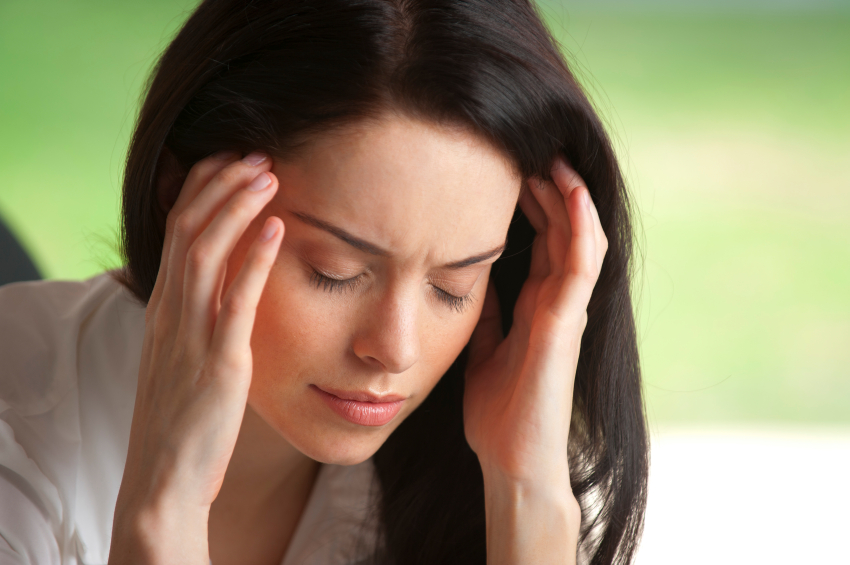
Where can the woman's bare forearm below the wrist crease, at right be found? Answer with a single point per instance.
(530, 523)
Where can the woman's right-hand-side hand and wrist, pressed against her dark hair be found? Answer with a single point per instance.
(519, 390)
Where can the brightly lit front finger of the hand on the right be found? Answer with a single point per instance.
(582, 270)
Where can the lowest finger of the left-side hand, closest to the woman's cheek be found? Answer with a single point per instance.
(235, 322)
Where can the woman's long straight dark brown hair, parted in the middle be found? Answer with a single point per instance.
(271, 74)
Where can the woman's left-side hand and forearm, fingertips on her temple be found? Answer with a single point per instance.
(196, 363)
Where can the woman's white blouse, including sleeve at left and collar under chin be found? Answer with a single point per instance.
(69, 359)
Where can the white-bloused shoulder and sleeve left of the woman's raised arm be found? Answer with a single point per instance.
(70, 352)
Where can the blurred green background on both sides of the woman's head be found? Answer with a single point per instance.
(732, 120)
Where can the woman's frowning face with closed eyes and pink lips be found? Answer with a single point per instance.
(391, 230)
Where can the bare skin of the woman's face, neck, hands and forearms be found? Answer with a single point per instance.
(228, 431)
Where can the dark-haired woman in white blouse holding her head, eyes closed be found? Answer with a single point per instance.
(325, 201)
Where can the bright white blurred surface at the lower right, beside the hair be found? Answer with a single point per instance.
(748, 496)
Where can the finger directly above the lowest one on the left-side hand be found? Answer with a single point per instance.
(206, 260)
